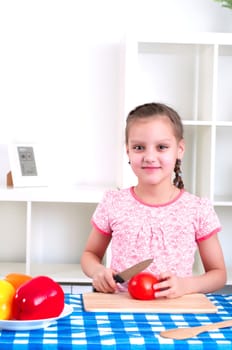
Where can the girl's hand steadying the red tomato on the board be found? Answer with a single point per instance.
(170, 286)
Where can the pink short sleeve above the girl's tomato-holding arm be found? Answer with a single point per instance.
(209, 223)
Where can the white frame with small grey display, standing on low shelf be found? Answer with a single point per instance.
(27, 165)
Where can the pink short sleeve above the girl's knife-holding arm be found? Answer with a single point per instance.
(100, 218)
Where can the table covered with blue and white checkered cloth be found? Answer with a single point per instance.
(138, 331)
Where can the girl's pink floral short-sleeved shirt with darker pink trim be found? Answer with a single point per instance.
(168, 233)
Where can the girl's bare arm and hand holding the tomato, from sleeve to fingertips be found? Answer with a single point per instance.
(211, 280)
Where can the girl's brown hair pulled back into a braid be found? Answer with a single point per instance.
(149, 110)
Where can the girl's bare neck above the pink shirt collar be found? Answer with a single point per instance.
(154, 194)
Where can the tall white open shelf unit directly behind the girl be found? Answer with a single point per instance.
(192, 73)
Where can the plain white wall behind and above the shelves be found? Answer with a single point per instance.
(60, 79)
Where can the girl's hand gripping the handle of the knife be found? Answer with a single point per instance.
(103, 280)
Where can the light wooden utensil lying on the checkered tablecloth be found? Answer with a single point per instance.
(189, 332)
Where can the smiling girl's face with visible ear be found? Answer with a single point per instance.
(153, 149)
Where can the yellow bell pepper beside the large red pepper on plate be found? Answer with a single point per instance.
(7, 293)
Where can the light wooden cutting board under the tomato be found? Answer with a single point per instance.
(122, 302)
